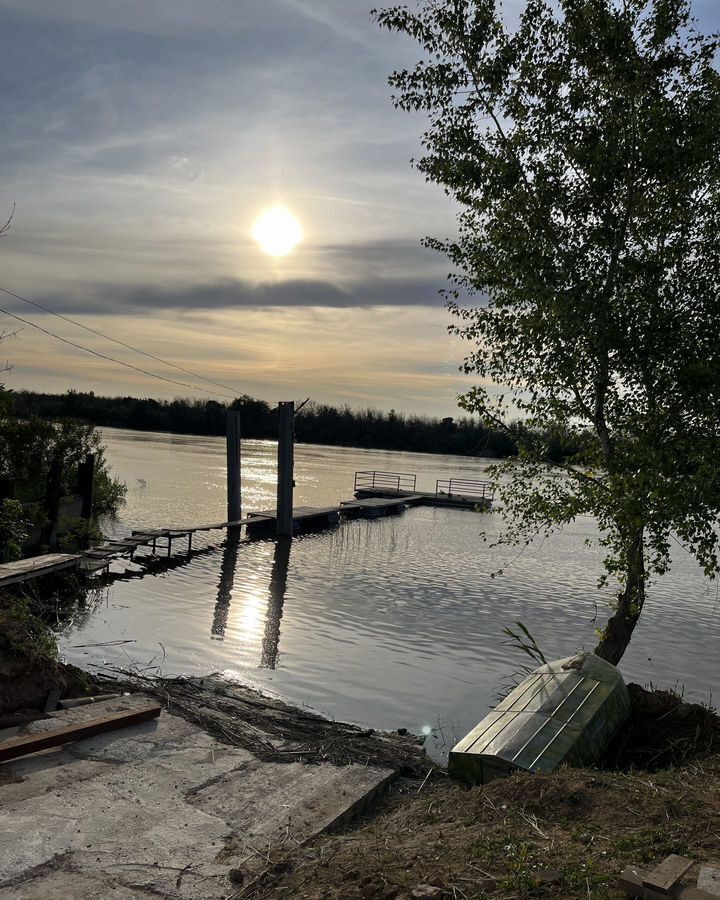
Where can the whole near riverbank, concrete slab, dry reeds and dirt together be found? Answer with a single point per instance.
(282, 803)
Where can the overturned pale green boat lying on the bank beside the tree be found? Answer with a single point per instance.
(565, 712)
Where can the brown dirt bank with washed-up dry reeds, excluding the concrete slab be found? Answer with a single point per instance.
(564, 835)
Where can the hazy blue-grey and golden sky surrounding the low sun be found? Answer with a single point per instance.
(141, 140)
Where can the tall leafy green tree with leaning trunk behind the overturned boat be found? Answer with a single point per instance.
(584, 150)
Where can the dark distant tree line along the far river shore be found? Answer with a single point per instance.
(316, 423)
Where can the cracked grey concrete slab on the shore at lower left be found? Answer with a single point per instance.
(158, 809)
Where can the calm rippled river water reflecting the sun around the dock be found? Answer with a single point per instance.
(391, 623)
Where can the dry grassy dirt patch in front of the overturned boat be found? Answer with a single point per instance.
(440, 839)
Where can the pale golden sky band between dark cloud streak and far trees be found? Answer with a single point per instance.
(398, 357)
